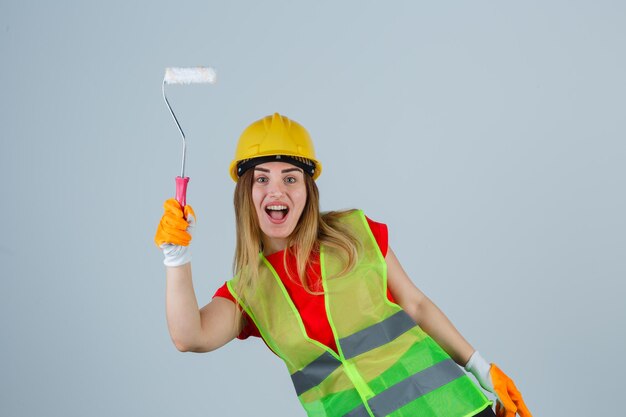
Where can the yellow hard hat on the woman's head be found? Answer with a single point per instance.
(275, 138)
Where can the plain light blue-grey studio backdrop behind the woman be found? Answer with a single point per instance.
(488, 135)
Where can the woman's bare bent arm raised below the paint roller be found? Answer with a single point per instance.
(193, 329)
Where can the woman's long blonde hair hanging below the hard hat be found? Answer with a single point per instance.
(312, 230)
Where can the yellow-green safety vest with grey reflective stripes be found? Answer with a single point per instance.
(386, 365)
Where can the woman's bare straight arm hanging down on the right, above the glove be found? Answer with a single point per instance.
(425, 313)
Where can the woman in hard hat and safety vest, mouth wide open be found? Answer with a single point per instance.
(327, 295)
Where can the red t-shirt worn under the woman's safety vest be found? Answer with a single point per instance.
(311, 307)
